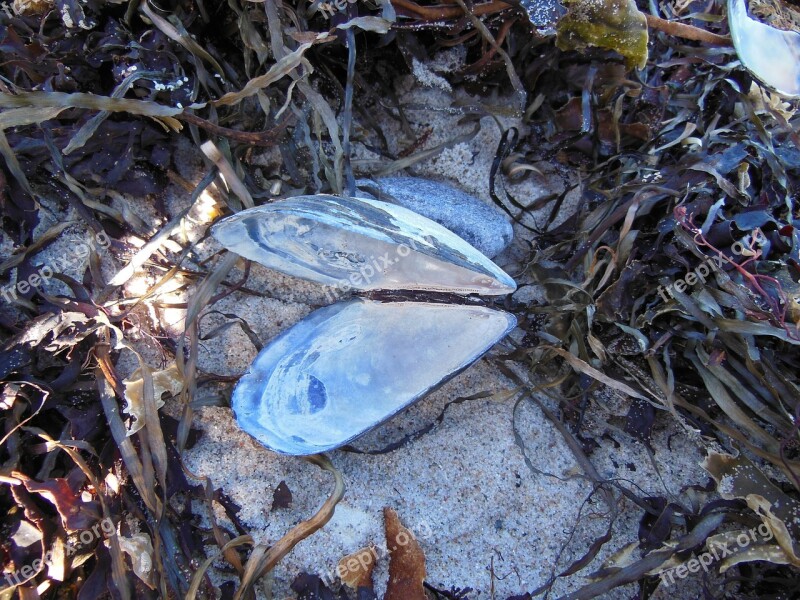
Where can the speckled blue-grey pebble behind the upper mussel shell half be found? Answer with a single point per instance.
(482, 225)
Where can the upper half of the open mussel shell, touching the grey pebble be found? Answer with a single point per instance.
(360, 244)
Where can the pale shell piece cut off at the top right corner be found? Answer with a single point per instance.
(771, 55)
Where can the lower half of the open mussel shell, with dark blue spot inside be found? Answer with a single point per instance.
(350, 366)
